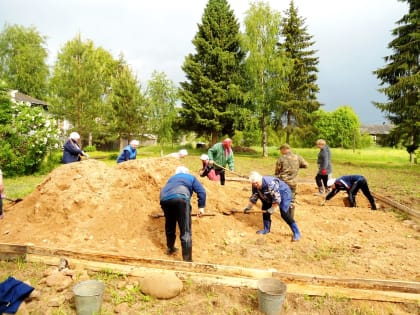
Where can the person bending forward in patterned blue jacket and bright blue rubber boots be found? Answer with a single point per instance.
(273, 193)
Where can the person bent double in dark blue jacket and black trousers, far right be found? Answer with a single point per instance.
(350, 184)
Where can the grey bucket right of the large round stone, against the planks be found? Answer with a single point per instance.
(271, 295)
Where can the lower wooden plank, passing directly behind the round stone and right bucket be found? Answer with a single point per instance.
(222, 280)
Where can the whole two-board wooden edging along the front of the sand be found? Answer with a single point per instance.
(212, 274)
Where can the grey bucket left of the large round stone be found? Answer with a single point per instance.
(88, 297)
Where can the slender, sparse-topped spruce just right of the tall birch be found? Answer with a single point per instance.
(300, 100)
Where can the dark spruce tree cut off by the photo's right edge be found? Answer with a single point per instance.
(400, 79)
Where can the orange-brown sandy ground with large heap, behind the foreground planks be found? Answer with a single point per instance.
(92, 207)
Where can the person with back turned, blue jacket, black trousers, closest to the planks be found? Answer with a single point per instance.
(175, 199)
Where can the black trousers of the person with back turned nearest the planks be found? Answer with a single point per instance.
(178, 211)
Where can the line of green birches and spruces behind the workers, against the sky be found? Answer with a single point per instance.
(258, 86)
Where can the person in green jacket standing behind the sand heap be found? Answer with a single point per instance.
(220, 155)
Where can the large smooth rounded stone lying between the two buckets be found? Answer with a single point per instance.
(161, 285)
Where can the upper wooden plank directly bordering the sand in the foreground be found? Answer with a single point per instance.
(52, 256)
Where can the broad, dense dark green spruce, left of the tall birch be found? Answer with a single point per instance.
(213, 72)
